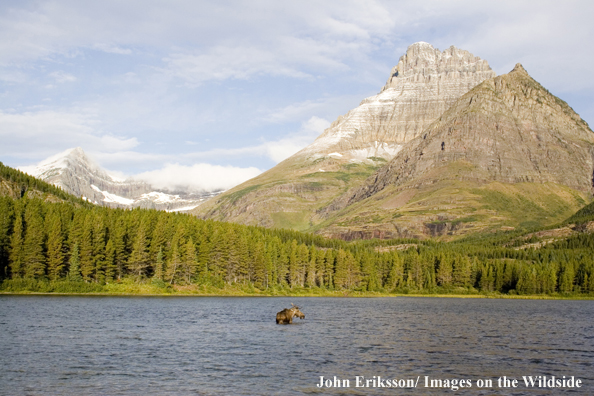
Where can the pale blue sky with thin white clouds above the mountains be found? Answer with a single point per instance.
(207, 94)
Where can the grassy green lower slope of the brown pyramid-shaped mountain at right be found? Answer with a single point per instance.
(459, 207)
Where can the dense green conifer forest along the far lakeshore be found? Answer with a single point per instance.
(45, 243)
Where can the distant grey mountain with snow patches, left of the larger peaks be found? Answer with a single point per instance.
(74, 172)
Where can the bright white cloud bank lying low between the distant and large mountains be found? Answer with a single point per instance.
(198, 177)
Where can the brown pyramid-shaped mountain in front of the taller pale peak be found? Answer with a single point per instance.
(508, 153)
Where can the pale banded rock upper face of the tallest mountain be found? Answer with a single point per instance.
(423, 84)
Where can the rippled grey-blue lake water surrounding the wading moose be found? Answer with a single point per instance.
(232, 346)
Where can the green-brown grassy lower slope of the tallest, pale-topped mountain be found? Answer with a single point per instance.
(288, 195)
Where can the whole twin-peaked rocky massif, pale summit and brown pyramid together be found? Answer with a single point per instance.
(467, 151)
